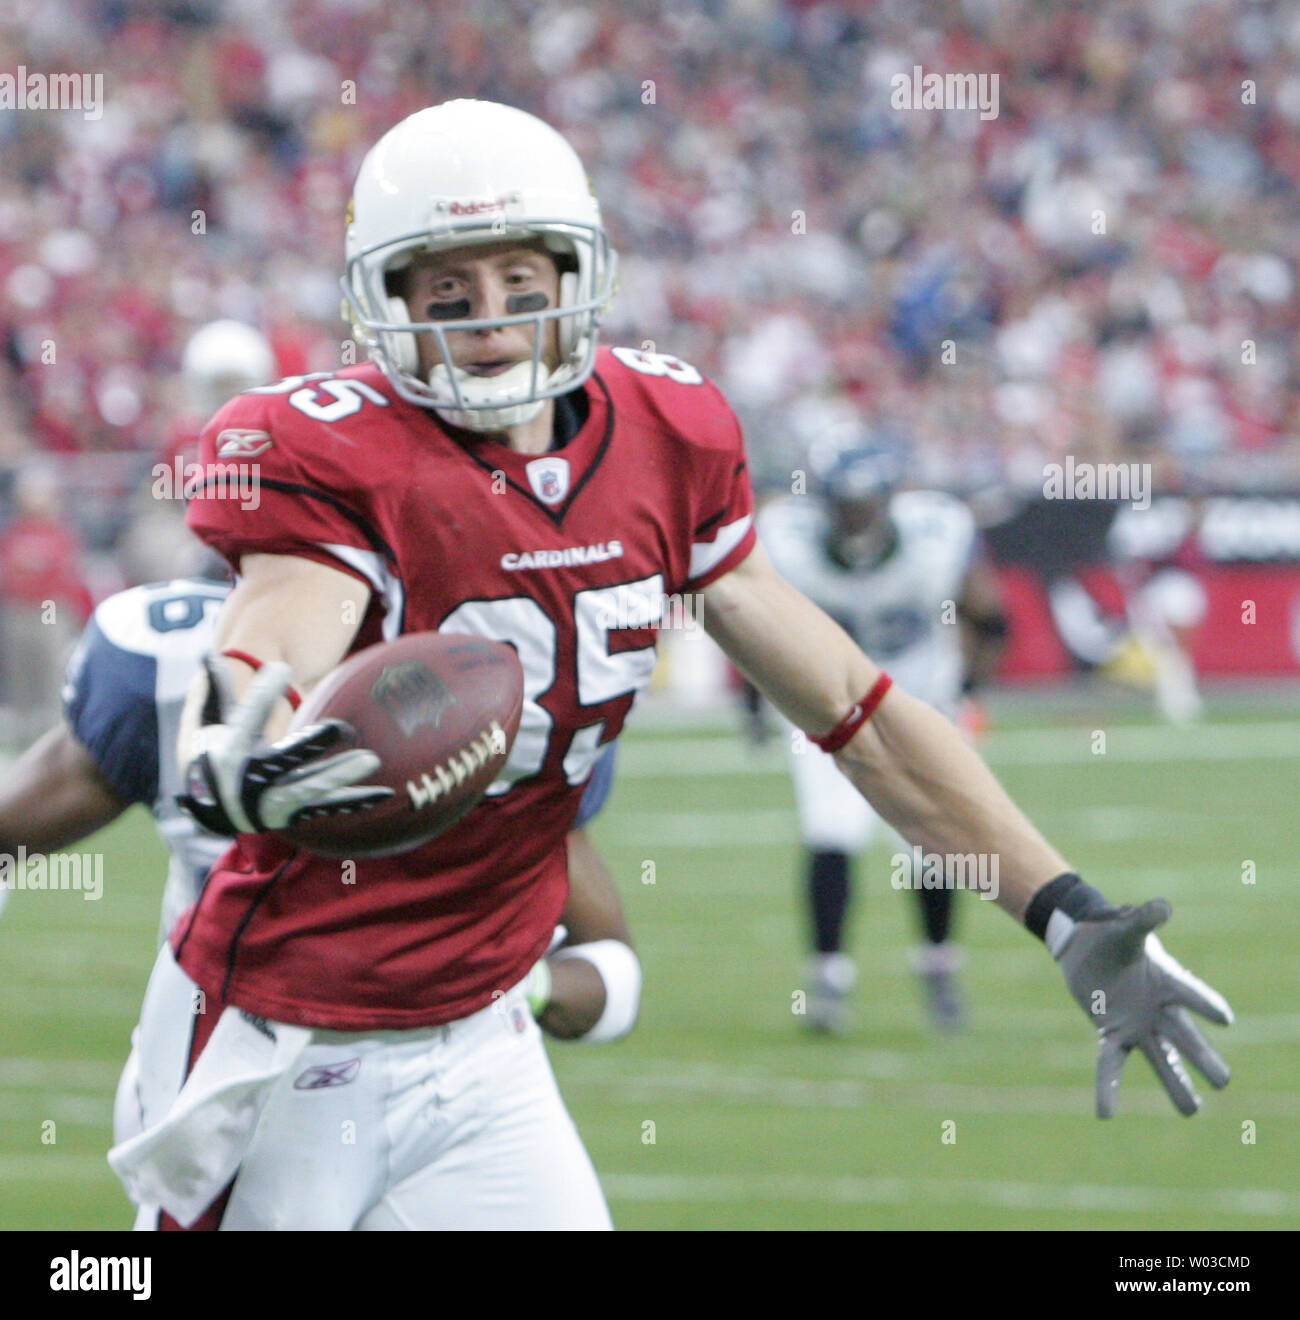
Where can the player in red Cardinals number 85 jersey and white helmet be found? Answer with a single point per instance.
(494, 472)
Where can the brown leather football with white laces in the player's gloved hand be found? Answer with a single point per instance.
(441, 712)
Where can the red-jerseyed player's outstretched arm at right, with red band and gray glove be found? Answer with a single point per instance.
(921, 774)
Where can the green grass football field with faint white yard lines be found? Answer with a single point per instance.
(720, 1112)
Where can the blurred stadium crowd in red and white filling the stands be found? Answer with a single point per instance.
(1105, 269)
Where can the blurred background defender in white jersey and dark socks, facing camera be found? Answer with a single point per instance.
(903, 576)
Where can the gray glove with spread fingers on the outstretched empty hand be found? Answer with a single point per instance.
(1138, 997)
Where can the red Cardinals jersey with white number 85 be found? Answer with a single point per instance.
(572, 558)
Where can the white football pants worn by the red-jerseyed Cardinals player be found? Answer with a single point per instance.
(441, 1128)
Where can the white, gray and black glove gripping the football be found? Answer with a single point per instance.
(240, 785)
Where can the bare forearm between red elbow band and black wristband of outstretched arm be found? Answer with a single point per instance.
(923, 778)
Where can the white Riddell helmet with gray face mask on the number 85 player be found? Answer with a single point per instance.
(463, 174)
